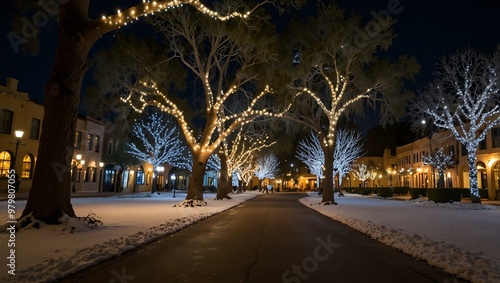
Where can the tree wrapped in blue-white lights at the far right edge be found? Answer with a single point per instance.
(464, 97)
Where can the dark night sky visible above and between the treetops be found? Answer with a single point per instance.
(427, 29)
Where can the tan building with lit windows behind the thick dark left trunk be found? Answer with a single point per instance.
(19, 113)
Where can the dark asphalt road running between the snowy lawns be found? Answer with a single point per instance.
(271, 238)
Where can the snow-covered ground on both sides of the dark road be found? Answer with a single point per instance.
(463, 239)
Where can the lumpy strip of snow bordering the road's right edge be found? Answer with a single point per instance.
(447, 257)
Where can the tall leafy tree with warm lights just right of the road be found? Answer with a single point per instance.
(340, 72)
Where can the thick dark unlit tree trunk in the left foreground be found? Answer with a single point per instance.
(50, 195)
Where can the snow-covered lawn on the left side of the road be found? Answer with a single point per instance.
(54, 251)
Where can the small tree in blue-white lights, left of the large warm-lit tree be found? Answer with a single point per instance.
(157, 142)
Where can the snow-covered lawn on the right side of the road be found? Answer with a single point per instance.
(461, 238)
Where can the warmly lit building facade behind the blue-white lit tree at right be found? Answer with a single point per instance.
(412, 172)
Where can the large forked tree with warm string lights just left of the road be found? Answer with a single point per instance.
(231, 62)
